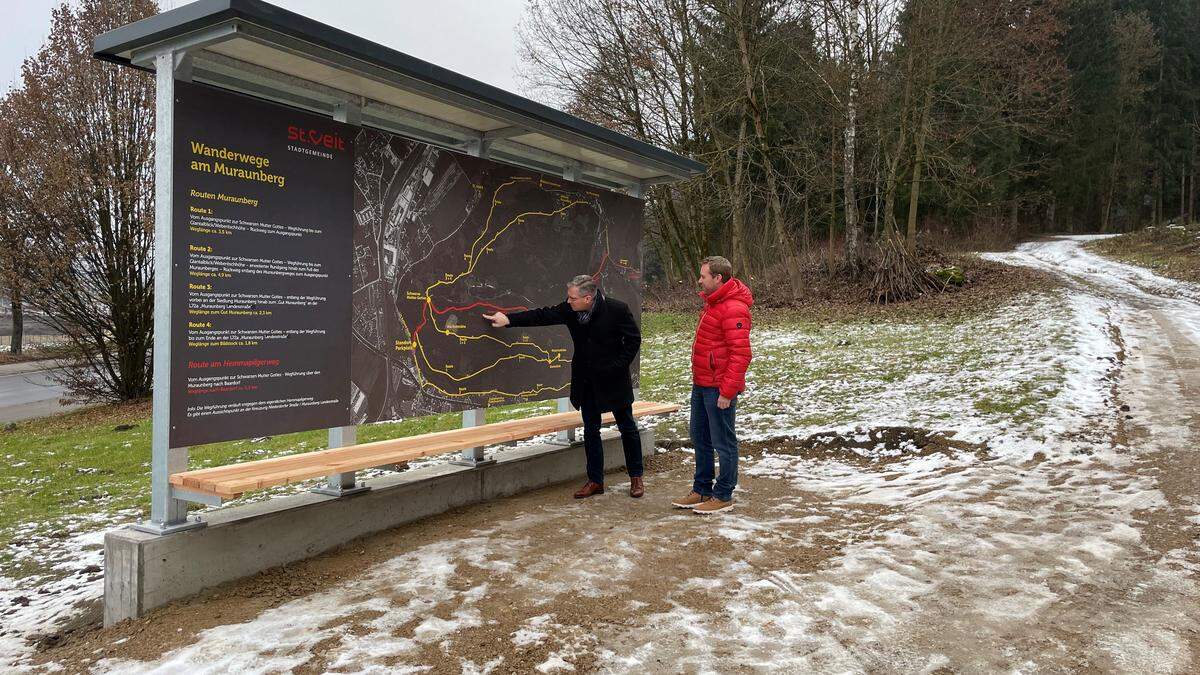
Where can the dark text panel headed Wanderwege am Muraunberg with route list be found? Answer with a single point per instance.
(261, 290)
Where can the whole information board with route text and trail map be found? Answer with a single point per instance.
(326, 274)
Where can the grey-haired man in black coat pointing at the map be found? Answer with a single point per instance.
(607, 342)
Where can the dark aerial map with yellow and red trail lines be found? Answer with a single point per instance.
(442, 238)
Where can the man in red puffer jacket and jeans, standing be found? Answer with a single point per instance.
(721, 357)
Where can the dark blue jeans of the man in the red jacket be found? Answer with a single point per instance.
(712, 429)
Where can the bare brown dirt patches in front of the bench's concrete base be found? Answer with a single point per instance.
(682, 545)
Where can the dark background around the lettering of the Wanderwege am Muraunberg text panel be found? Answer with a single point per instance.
(317, 195)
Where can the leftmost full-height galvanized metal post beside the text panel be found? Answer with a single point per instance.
(167, 513)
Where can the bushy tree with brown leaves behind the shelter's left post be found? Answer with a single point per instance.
(82, 175)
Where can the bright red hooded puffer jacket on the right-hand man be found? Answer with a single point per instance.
(721, 355)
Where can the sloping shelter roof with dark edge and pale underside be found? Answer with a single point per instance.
(260, 50)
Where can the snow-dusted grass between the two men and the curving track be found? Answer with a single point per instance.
(988, 372)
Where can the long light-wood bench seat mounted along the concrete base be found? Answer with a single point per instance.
(230, 482)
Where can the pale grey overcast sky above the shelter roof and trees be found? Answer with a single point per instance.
(476, 38)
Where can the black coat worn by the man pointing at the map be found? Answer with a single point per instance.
(605, 348)
